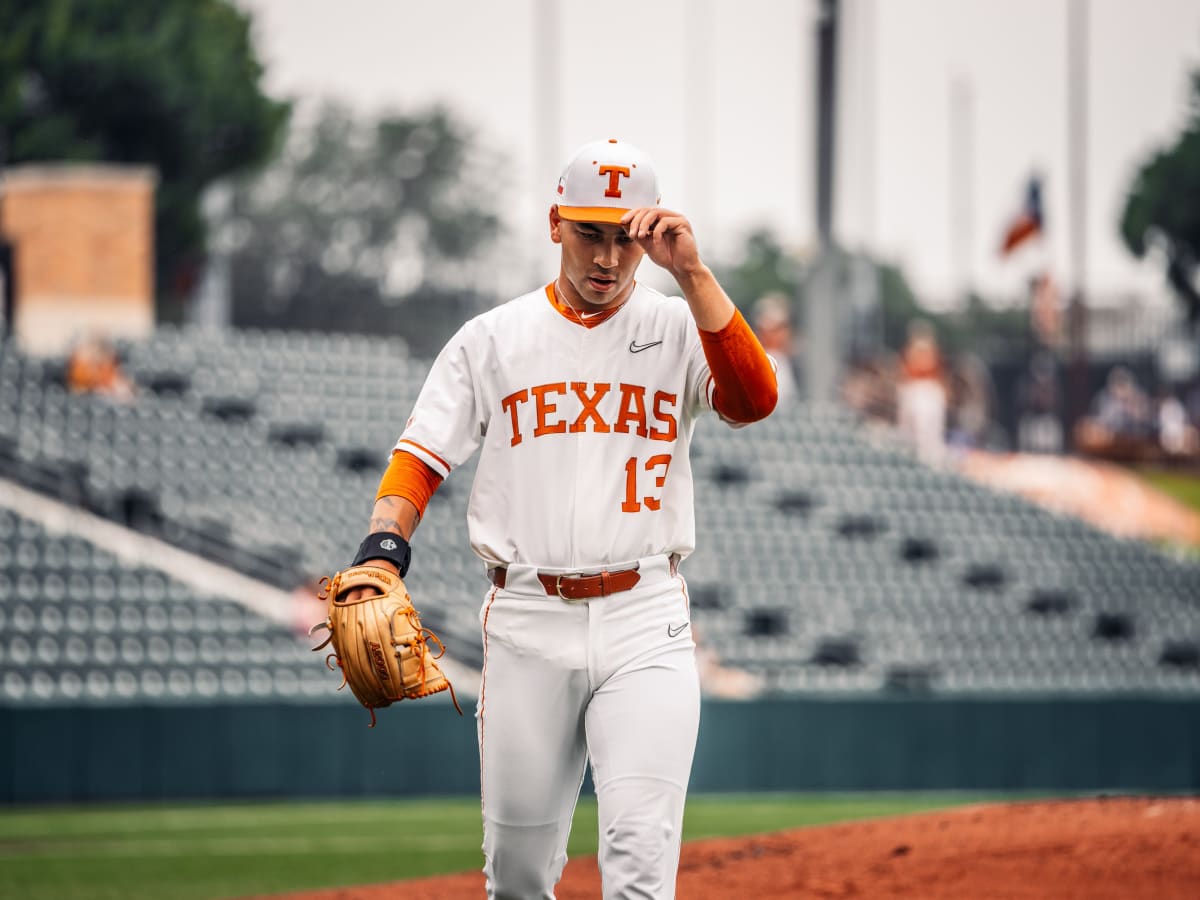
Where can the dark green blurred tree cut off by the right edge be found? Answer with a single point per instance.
(1163, 209)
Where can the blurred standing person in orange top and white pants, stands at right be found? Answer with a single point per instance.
(922, 394)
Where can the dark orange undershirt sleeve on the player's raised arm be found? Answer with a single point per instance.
(746, 387)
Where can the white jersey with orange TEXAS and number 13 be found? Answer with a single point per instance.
(584, 431)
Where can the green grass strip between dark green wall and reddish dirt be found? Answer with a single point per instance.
(203, 853)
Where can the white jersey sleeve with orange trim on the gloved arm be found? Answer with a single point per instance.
(447, 423)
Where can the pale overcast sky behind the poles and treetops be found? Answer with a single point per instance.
(722, 94)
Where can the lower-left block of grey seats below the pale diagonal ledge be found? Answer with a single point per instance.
(76, 626)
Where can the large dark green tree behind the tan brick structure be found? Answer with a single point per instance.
(169, 83)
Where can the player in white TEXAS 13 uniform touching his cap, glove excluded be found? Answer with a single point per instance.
(581, 399)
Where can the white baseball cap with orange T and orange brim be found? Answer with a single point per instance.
(604, 181)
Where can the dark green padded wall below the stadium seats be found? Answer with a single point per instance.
(70, 755)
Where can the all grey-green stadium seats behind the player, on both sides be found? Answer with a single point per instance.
(829, 560)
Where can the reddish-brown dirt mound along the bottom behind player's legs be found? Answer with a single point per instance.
(1097, 849)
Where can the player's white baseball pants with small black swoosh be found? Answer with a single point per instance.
(613, 680)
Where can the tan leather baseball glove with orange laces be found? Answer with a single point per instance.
(379, 640)
